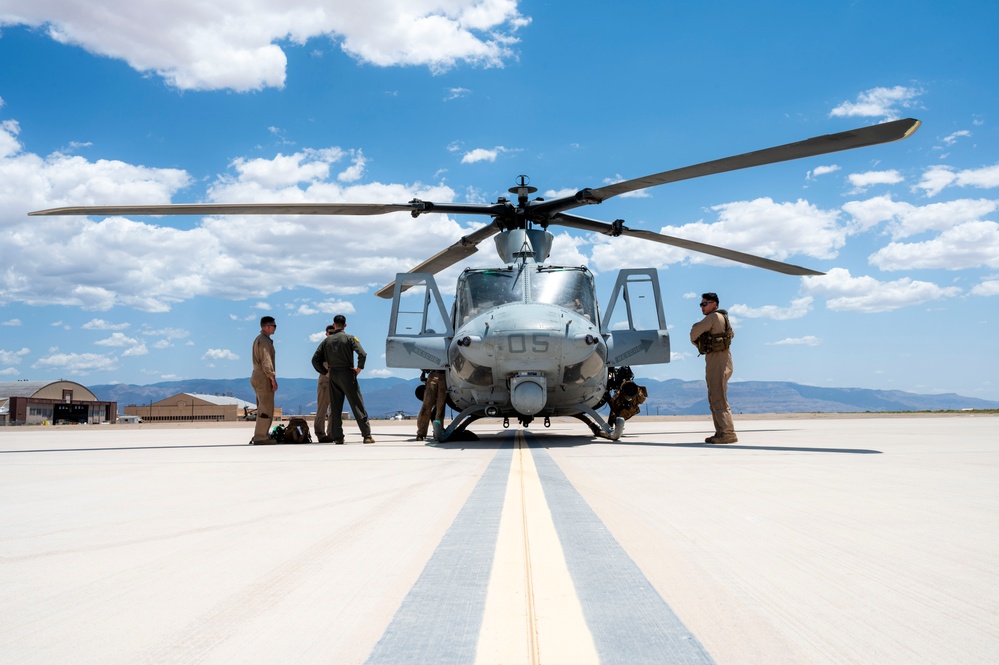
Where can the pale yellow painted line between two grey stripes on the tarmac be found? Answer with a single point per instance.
(533, 614)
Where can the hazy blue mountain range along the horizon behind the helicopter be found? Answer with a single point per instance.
(386, 397)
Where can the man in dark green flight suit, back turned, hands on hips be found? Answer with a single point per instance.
(337, 352)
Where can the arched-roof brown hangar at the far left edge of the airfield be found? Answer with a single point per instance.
(52, 402)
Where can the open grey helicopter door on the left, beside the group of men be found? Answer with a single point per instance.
(419, 327)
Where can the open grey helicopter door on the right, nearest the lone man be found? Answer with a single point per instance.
(637, 335)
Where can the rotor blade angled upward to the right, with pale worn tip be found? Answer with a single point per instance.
(819, 145)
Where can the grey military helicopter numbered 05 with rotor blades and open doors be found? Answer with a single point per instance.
(527, 339)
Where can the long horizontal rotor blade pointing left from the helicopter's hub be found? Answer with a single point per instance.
(235, 209)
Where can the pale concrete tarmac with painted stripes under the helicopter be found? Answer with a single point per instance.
(811, 540)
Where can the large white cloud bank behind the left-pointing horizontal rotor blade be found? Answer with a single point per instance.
(100, 263)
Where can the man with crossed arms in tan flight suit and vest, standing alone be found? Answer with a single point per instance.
(712, 336)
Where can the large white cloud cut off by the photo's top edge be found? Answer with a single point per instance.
(239, 45)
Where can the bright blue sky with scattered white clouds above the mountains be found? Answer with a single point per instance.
(126, 102)
